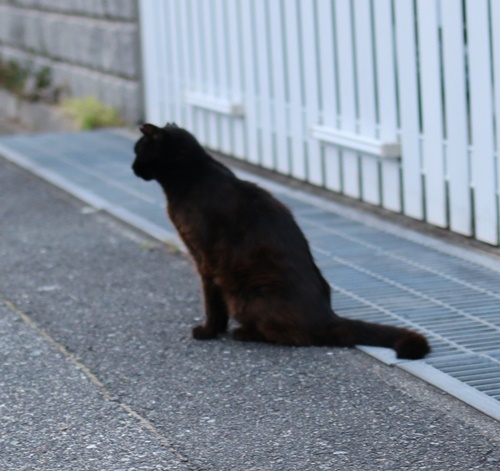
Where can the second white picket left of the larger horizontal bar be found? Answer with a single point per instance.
(279, 86)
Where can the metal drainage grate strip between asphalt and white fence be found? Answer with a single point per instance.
(378, 272)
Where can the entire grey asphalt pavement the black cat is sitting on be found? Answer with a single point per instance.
(99, 372)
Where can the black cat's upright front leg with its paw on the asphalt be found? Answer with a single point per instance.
(216, 313)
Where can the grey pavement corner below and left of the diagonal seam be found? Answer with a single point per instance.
(53, 417)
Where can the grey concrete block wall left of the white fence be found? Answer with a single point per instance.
(90, 45)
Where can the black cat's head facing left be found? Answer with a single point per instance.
(158, 148)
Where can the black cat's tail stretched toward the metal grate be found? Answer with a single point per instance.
(350, 332)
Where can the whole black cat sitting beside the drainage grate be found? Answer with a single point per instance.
(253, 259)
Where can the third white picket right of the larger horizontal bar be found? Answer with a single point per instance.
(457, 152)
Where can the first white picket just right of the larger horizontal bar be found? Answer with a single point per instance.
(409, 108)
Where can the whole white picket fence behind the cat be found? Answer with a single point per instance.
(389, 101)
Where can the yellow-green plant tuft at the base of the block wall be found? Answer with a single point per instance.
(89, 113)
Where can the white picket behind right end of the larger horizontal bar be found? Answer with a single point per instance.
(387, 103)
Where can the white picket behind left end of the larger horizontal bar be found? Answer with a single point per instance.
(311, 89)
